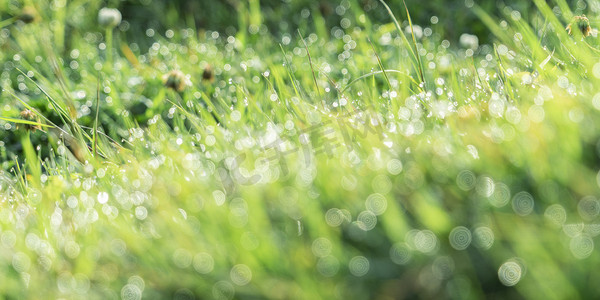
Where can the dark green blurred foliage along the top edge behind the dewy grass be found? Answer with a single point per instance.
(281, 16)
